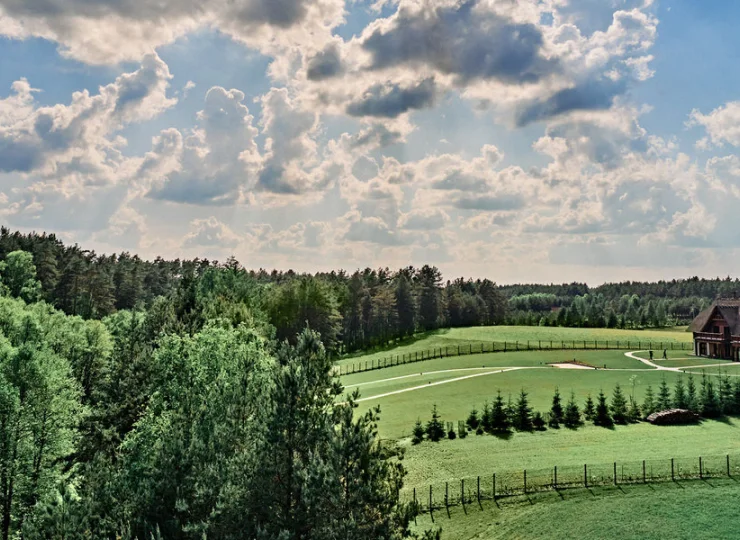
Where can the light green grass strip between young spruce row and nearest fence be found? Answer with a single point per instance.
(435, 463)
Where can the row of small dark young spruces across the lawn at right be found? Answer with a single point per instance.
(711, 398)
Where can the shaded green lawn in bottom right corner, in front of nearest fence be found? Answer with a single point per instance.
(685, 510)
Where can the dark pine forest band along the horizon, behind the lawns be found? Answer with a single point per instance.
(352, 311)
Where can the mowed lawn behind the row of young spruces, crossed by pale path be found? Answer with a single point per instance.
(456, 398)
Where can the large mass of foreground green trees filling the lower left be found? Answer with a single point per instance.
(140, 426)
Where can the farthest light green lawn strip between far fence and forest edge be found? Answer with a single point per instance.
(452, 337)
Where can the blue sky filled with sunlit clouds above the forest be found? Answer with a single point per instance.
(522, 141)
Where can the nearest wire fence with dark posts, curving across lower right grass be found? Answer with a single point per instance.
(473, 490)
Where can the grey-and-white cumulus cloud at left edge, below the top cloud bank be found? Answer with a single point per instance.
(79, 138)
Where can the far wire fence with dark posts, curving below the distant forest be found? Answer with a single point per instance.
(362, 366)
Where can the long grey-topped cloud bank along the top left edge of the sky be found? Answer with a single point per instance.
(114, 31)
